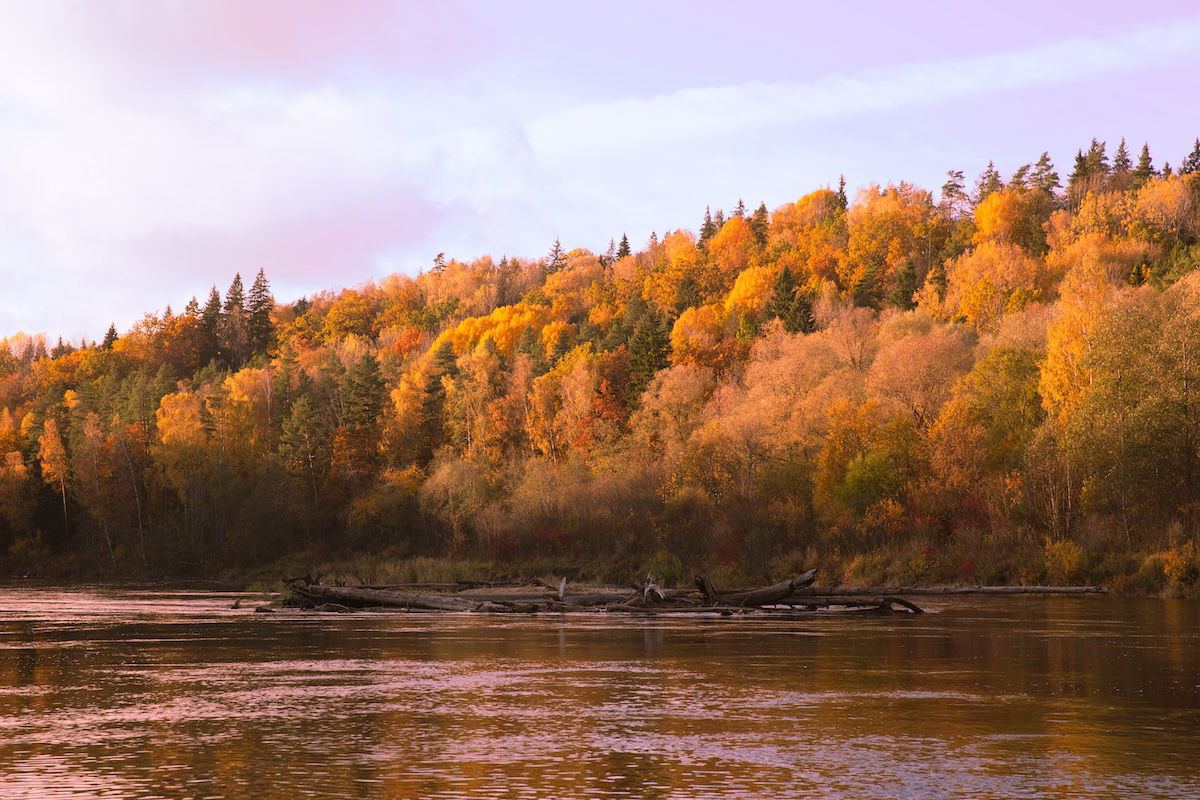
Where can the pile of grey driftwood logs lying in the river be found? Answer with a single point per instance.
(795, 596)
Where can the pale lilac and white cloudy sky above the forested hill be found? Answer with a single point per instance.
(151, 149)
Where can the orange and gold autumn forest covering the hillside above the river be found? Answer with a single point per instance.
(995, 383)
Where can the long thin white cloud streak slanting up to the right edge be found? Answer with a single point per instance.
(721, 111)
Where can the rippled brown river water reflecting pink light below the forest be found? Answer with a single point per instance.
(121, 694)
